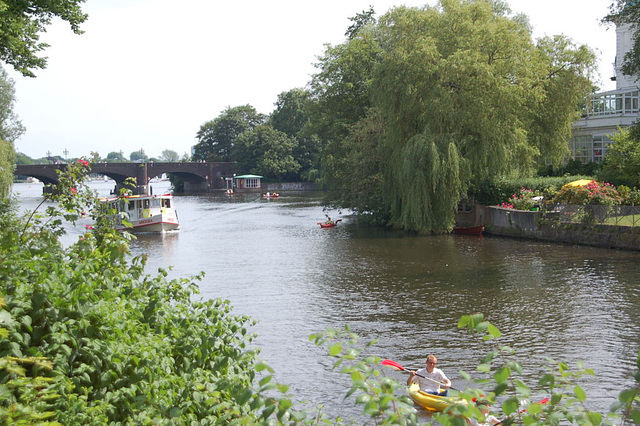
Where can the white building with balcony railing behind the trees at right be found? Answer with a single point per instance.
(606, 111)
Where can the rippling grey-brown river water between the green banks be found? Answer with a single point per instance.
(272, 261)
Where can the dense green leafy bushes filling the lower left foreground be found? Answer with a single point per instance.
(88, 337)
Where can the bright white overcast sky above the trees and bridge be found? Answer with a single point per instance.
(146, 74)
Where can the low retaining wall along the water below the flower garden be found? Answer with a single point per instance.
(545, 226)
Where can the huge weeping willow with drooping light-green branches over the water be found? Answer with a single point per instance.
(463, 93)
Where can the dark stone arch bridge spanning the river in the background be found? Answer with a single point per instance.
(197, 177)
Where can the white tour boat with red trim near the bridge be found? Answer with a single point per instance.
(146, 213)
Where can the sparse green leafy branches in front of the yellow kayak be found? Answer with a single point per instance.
(499, 379)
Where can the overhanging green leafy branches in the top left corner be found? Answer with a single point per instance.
(22, 22)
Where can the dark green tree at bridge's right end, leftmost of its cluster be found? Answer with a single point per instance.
(216, 137)
